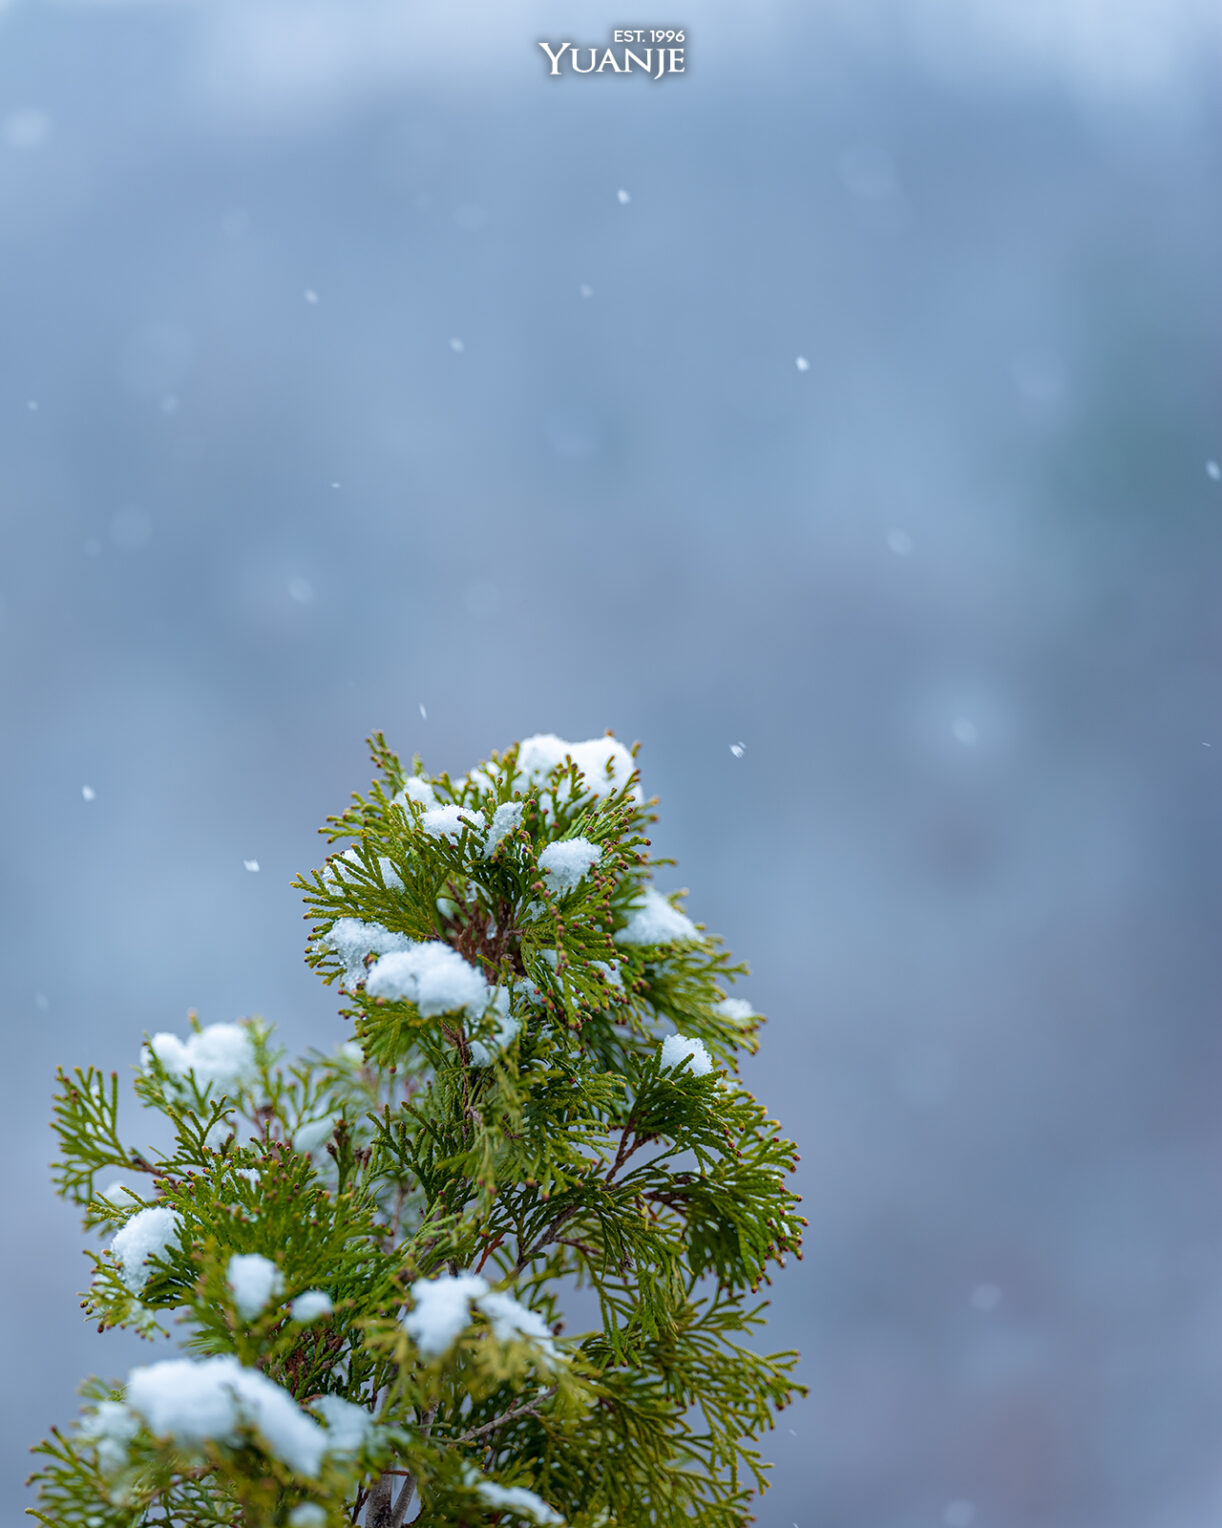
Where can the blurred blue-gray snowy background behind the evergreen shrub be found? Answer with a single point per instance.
(876, 435)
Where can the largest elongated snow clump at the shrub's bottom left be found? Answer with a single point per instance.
(212, 1400)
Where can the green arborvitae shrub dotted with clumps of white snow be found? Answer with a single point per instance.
(372, 1254)
